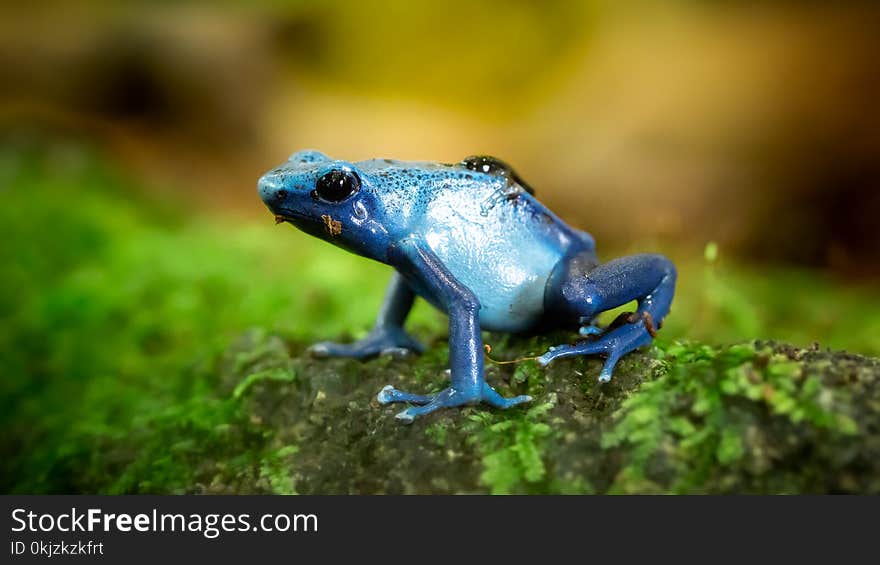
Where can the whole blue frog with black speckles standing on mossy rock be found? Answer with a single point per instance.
(480, 248)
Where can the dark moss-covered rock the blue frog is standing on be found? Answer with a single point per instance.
(759, 417)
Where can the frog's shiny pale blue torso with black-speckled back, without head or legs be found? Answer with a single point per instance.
(493, 237)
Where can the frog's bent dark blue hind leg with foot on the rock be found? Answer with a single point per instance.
(648, 279)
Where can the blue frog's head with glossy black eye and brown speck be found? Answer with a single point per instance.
(326, 198)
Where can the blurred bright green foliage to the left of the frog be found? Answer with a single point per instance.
(114, 312)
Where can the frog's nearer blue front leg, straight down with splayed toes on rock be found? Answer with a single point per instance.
(416, 260)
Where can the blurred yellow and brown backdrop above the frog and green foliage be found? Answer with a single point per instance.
(755, 126)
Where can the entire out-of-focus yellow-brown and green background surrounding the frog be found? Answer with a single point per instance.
(740, 138)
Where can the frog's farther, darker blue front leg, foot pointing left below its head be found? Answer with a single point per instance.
(387, 336)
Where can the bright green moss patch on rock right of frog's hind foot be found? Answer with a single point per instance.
(700, 425)
